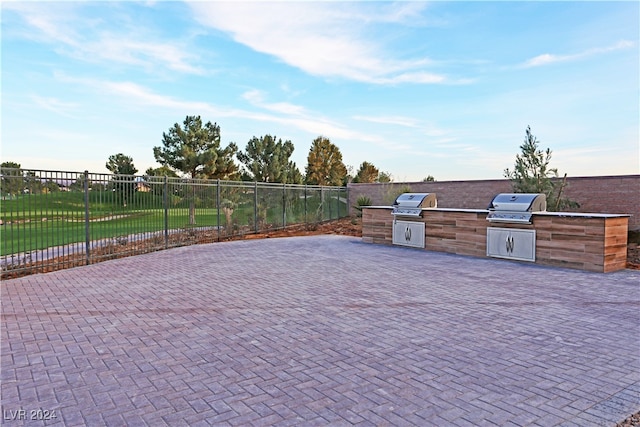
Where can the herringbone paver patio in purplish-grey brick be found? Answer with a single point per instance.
(320, 330)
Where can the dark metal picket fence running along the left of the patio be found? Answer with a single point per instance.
(54, 219)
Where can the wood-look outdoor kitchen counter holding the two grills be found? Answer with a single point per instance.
(585, 241)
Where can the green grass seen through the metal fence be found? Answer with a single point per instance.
(38, 221)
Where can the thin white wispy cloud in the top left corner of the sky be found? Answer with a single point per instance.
(74, 31)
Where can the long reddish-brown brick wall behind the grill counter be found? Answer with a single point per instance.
(596, 194)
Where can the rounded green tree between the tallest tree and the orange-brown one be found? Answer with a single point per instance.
(266, 160)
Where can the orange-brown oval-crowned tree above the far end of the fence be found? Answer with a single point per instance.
(324, 163)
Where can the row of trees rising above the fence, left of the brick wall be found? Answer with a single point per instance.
(193, 149)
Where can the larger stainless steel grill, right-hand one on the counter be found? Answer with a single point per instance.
(516, 207)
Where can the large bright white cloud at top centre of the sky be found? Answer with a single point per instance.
(323, 39)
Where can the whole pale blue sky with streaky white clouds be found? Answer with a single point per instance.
(417, 88)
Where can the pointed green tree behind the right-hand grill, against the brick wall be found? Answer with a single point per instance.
(532, 174)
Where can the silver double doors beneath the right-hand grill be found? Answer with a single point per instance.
(511, 244)
